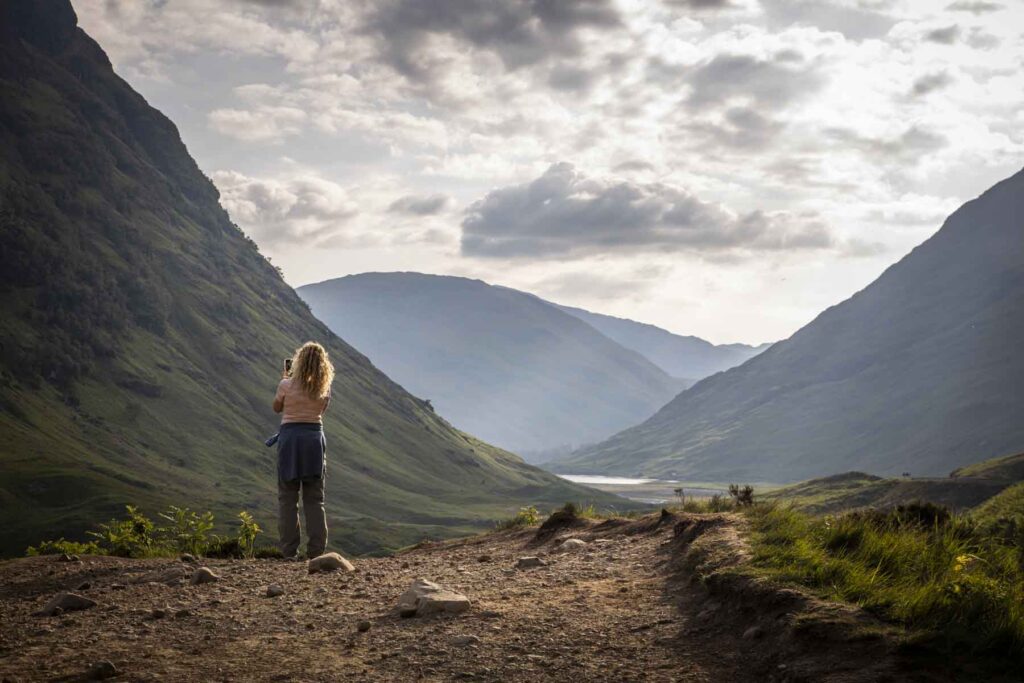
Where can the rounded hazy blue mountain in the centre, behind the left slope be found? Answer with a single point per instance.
(497, 363)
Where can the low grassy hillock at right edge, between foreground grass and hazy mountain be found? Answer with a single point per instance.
(979, 485)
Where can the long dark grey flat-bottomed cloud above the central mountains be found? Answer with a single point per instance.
(564, 214)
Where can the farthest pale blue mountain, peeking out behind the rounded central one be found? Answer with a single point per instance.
(687, 358)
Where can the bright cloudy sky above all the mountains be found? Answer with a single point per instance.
(721, 168)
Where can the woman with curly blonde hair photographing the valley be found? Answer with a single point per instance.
(304, 396)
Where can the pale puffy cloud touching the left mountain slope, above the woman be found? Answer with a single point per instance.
(303, 208)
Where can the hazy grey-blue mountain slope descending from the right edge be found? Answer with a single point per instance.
(922, 371)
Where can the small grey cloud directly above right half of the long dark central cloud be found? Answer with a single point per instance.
(770, 83)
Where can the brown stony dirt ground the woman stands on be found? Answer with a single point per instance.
(606, 613)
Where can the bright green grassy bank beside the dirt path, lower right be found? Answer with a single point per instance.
(956, 580)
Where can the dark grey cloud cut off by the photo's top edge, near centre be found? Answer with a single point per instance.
(520, 32)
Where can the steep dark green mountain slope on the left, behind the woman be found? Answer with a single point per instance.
(142, 334)
